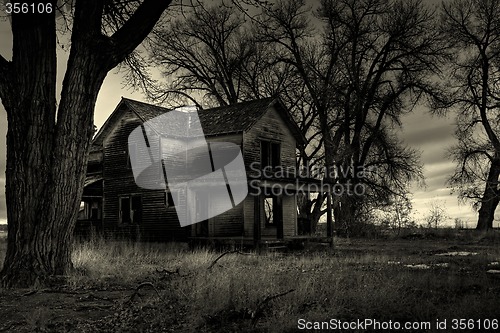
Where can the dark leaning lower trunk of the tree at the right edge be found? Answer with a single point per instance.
(490, 198)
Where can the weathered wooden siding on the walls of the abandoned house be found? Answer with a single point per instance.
(160, 222)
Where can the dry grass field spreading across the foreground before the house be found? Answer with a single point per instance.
(143, 287)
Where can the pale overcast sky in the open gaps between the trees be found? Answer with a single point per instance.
(432, 135)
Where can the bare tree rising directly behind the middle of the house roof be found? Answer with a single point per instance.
(210, 53)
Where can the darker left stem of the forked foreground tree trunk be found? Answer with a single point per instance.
(29, 106)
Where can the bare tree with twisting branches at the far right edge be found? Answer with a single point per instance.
(472, 28)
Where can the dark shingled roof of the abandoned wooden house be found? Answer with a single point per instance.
(235, 118)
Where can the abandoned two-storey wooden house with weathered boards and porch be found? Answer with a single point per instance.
(264, 130)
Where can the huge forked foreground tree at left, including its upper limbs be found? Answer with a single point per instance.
(47, 142)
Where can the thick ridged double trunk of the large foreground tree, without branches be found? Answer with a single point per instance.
(46, 161)
